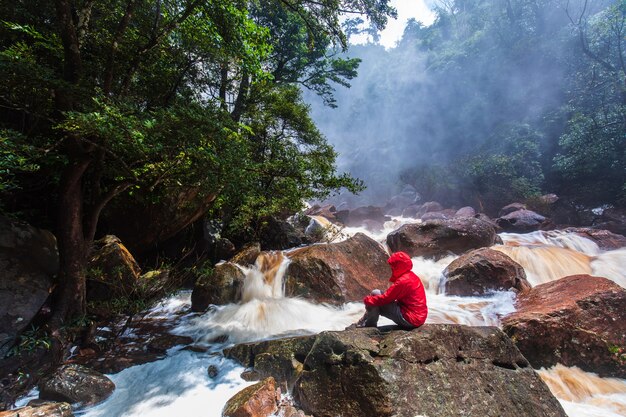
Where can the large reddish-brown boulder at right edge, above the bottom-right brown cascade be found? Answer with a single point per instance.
(578, 320)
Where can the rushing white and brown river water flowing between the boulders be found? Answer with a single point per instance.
(180, 384)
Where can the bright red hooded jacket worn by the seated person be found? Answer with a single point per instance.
(406, 289)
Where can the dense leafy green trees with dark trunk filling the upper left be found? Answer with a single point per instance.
(163, 111)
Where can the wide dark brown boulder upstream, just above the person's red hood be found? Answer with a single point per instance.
(436, 238)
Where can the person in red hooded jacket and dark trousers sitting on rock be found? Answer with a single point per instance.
(404, 302)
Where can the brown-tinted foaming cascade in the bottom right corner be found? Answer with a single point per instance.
(585, 394)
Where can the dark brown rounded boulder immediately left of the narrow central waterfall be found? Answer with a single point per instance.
(220, 286)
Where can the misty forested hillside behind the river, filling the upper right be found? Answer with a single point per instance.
(496, 101)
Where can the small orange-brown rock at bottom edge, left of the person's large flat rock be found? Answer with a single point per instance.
(258, 400)
